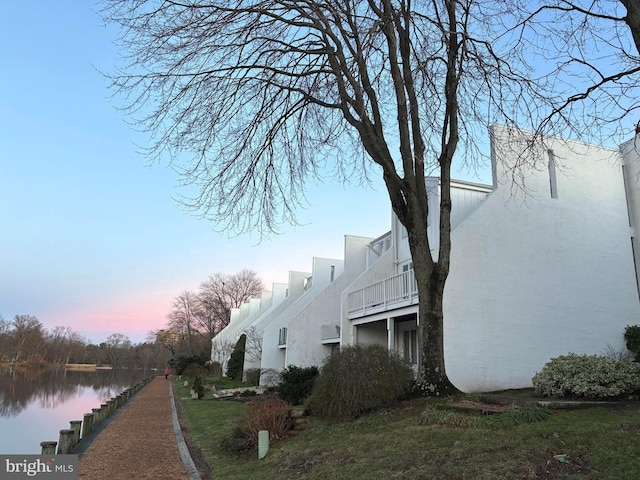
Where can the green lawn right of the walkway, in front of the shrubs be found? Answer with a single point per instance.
(599, 444)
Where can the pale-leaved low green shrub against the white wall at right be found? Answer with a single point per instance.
(587, 376)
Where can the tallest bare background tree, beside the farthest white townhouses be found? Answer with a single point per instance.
(221, 293)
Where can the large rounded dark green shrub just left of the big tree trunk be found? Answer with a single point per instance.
(359, 379)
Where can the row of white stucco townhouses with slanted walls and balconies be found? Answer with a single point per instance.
(542, 264)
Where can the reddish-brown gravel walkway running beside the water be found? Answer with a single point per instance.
(142, 441)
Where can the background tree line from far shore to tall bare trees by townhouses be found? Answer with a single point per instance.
(194, 319)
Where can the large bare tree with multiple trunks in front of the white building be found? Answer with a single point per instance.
(267, 95)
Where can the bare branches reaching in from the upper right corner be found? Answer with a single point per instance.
(589, 51)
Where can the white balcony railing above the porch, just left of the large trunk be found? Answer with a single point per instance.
(384, 293)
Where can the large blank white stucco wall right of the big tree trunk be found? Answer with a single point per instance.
(533, 277)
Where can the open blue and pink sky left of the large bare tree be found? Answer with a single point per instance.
(91, 236)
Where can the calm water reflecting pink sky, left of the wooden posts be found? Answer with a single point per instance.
(35, 404)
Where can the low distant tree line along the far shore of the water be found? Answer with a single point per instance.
(25, 341)
